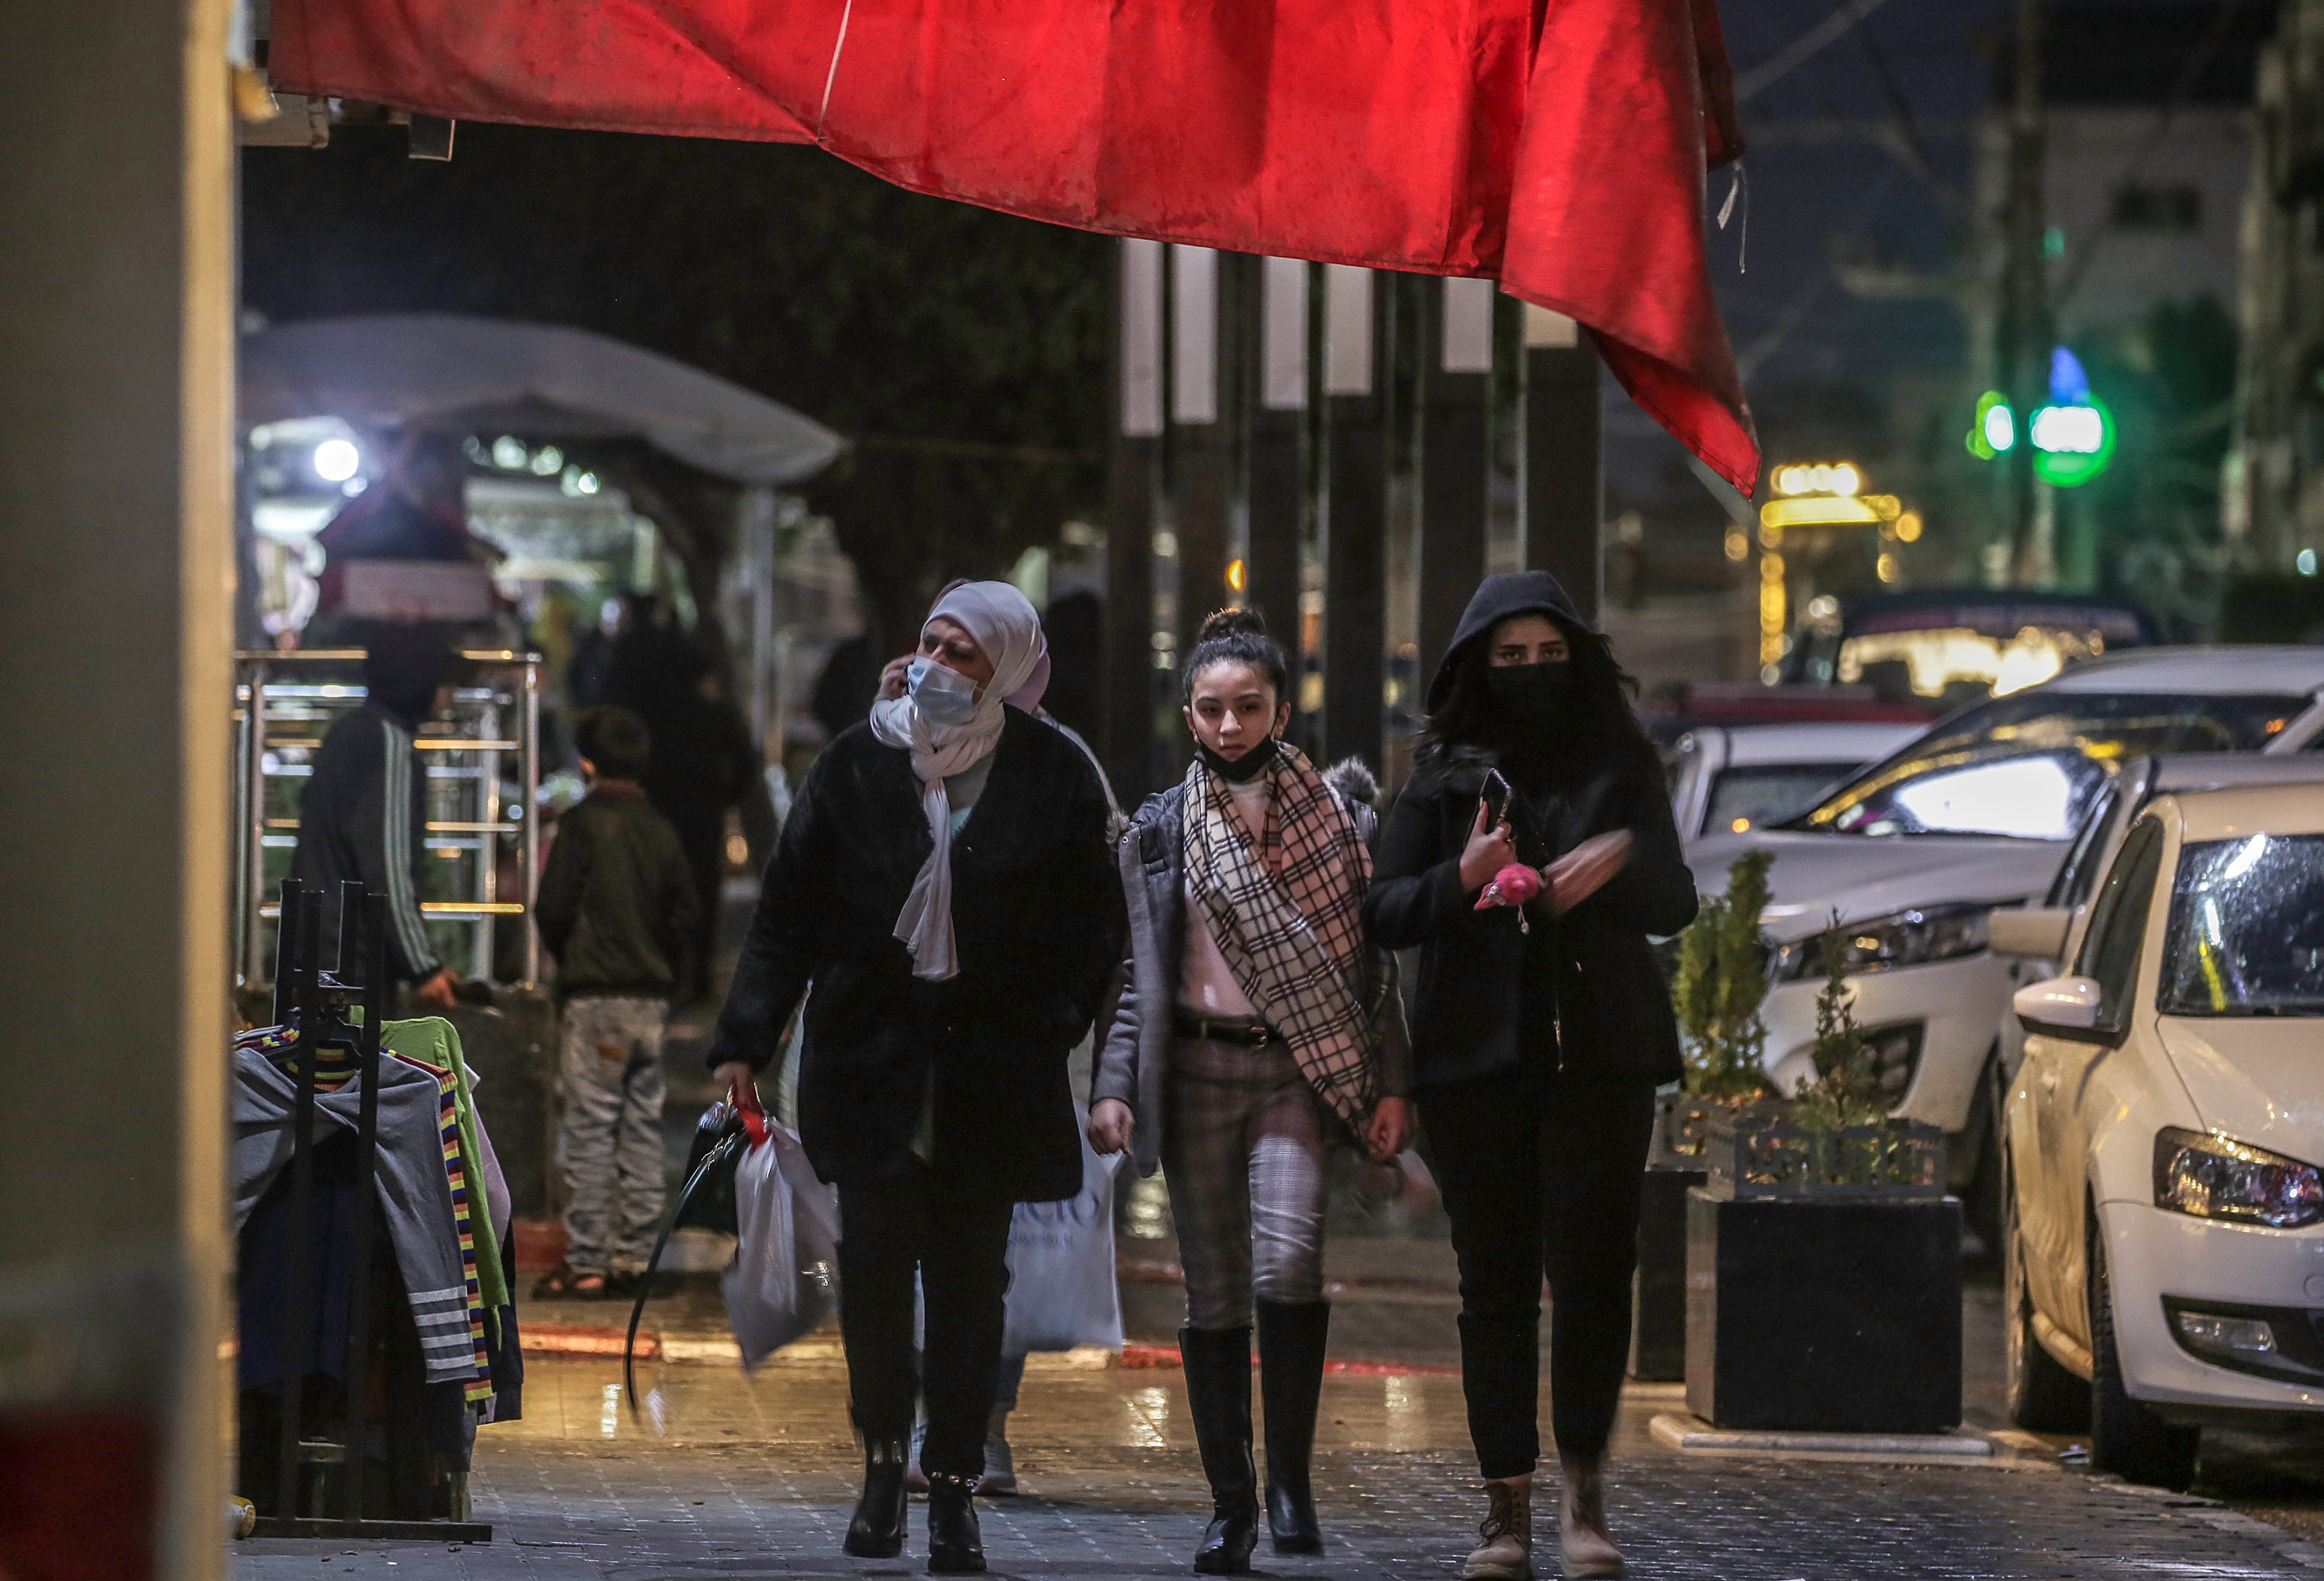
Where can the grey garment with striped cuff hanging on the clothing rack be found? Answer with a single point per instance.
(415, 1187)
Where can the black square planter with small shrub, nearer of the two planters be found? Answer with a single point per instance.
(1823, 1257)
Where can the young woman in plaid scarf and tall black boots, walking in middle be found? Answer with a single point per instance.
(1258, 1026)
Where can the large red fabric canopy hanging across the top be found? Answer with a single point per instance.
(1556, 145)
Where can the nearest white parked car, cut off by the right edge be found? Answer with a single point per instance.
(2165, 1138)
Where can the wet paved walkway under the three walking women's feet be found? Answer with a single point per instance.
(756, 1480)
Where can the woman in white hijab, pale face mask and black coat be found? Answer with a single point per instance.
(945, 901)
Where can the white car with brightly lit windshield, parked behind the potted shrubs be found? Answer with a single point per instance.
(1918, 850)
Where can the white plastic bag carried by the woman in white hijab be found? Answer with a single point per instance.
(784, 1278)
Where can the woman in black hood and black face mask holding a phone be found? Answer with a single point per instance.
(1540, 1031)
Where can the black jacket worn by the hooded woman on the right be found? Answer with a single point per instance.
(1612, 1006)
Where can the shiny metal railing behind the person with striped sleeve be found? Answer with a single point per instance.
(464, 775)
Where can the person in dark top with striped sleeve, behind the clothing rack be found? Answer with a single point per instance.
(364, 813)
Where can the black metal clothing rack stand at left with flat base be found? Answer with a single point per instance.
(320, 1003)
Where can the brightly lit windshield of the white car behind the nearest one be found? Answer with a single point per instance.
(2030, 766)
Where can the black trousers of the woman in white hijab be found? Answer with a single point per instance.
(956, 1240)
